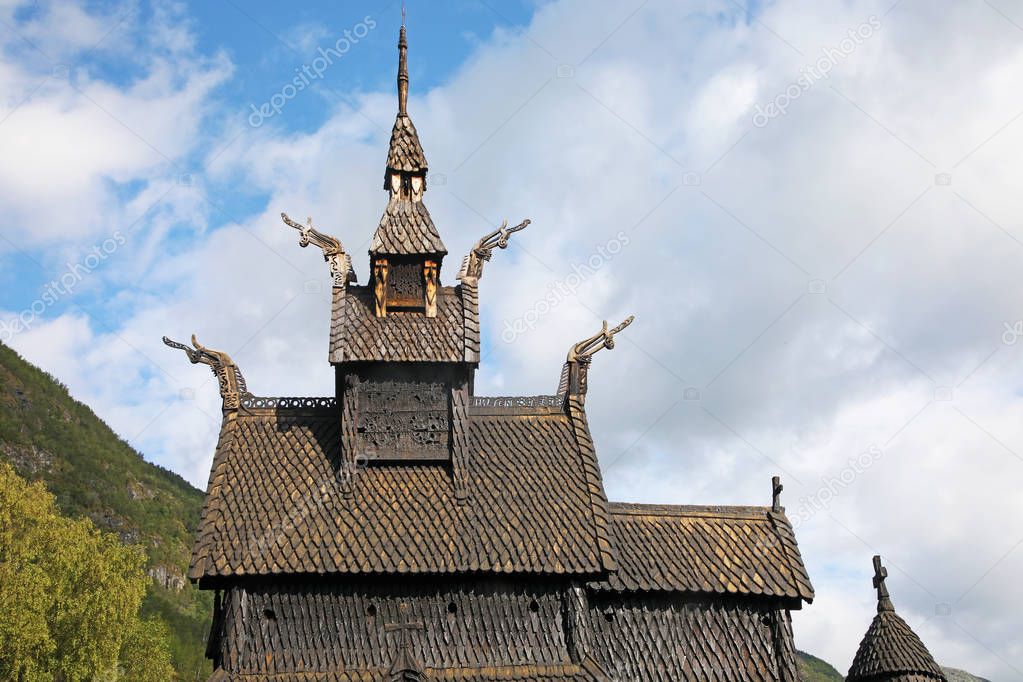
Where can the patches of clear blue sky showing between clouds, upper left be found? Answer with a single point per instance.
(268, 43)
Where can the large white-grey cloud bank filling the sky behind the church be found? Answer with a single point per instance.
(919, 277)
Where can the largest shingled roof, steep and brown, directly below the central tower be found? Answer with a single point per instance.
(276, 504)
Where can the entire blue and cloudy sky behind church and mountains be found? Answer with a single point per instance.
(812, 208)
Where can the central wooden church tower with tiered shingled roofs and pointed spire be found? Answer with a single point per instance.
(406, 349)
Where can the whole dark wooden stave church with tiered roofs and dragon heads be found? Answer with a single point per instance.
(475, 528)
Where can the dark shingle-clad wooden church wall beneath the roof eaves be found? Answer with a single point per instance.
(324, 626)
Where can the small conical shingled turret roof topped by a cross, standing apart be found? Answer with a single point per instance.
(891, 650)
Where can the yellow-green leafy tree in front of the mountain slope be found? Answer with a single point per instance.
(70, 597)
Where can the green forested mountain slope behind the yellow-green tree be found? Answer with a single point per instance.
(51, 437)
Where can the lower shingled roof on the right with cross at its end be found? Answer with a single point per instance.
(702, 550)
